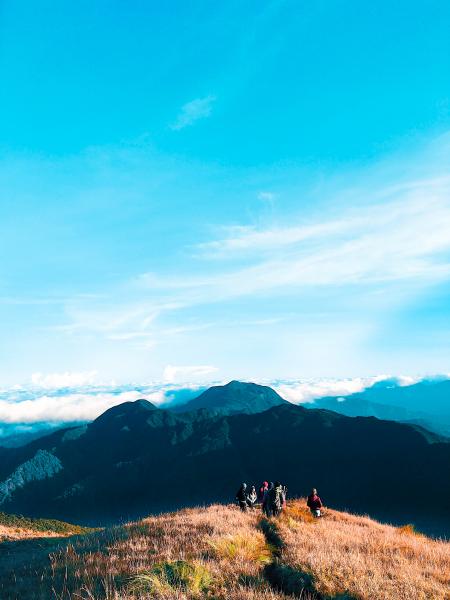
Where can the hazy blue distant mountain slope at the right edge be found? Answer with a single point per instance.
(426, 403)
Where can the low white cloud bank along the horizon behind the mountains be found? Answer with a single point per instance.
(51, 400)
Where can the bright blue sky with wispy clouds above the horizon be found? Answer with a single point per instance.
(225, 190)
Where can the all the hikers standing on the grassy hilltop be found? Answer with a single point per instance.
(271, 497)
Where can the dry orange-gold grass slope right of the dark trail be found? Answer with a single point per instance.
(367, 560)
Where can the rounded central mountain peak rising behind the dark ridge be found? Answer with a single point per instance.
(234, 397)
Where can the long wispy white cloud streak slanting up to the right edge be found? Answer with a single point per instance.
(399, 235)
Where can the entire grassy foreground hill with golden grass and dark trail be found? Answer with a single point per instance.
(219, 552)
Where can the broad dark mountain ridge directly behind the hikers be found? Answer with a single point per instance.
(136, 458)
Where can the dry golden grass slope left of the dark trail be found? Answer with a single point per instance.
(216, 552)
